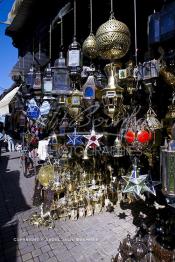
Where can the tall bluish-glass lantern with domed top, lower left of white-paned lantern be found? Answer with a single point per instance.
(61, 81)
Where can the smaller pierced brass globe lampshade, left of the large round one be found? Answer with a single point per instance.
(89, 47)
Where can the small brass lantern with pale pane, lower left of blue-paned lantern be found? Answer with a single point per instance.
(74, 103)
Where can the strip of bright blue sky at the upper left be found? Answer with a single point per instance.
(8, 53)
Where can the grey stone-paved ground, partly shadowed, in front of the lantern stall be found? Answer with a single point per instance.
(94, 238)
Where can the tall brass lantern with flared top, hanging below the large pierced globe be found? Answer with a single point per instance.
(112, 94)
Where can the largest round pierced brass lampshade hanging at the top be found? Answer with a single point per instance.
(112, 39)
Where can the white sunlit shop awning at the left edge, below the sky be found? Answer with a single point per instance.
(5, 101)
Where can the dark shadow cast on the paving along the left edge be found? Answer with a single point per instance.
(12, 201)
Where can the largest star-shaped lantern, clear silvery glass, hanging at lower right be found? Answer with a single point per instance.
(137, 184)
